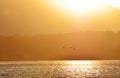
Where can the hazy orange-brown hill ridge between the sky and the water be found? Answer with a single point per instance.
(69, 46)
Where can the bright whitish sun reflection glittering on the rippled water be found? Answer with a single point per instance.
(82, 68)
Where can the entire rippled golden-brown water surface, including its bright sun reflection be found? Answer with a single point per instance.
(61, 69)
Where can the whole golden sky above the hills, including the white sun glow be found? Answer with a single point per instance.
(44, 17)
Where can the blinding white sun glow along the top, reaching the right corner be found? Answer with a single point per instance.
(83, 7)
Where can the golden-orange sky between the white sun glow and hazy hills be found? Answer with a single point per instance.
(37, 17)
